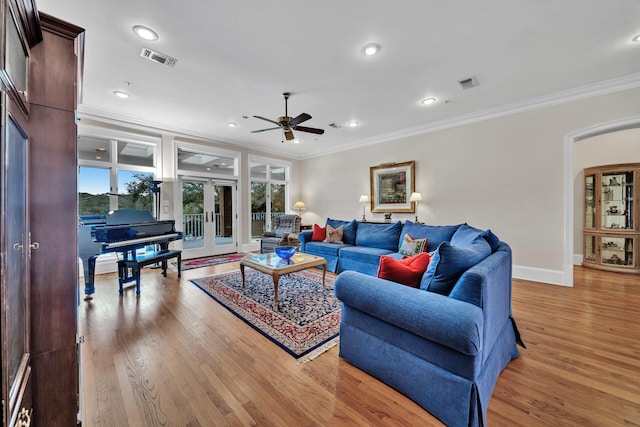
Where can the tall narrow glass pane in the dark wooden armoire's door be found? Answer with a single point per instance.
(16, 195)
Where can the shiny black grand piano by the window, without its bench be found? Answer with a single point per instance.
(122, 231)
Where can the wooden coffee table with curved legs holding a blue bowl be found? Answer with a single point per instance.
(275, 266)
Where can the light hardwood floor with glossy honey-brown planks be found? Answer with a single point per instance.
(174, 357)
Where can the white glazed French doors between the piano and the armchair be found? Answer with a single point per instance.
(209, 217)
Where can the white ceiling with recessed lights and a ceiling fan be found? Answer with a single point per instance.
(236, 58)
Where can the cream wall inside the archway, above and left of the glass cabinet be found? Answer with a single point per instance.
(608, 149)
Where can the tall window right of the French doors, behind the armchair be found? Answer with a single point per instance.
(269, 194)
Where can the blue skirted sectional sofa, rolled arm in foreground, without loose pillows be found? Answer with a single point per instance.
(444, 344)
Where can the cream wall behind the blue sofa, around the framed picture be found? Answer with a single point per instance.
(507, 174)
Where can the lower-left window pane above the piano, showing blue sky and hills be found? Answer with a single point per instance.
(93, 190)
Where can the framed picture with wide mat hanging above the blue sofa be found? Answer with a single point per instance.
(391, 187)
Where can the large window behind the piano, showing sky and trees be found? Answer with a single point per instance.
(114, 174)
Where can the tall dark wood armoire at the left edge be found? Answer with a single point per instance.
(41, 63)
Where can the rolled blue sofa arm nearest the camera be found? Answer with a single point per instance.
(452, 323)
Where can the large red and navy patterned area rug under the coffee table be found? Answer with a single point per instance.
(307, 321)
